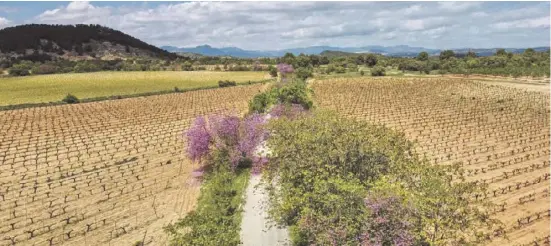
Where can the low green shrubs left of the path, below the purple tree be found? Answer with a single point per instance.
(217, 219)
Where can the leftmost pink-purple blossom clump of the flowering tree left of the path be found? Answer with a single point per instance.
(198, 139)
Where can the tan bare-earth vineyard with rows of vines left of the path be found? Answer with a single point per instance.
(103, 173)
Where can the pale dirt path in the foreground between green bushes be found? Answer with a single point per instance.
(256, 228)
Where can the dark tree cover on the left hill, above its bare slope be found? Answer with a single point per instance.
(60, 38)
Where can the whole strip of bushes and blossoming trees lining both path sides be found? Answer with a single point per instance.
(331, 180)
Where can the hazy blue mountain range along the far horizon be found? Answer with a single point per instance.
(398, 50)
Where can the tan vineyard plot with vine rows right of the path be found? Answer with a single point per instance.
(499, 135)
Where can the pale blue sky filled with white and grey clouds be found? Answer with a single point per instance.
(281, 25)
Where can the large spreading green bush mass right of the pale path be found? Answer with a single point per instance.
(346, 182)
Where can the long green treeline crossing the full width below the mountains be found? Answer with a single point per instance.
(502, 63)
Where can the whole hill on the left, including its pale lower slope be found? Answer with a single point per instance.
(40, 42)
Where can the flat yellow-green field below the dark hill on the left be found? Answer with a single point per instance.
(52, 88)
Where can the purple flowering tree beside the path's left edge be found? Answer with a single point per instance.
(240, 138)
